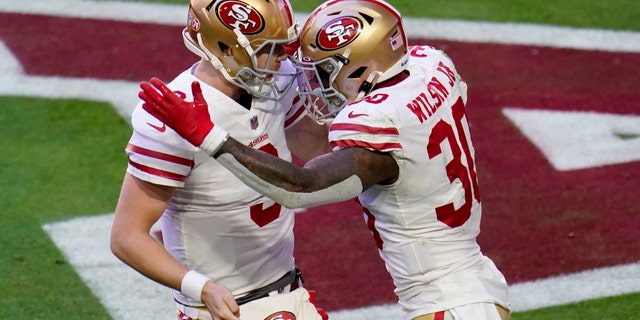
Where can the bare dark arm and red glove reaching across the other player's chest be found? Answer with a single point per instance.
(193, 122)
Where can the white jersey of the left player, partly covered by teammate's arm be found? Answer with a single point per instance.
(214, 223)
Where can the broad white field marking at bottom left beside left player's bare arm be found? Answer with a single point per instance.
(125, 294)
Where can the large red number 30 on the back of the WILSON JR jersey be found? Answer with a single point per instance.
(444, 132)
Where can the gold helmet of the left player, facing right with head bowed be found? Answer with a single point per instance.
(230, 34)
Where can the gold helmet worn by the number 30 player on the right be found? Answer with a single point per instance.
(346, 48)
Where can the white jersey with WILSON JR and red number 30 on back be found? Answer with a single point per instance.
(426, 223)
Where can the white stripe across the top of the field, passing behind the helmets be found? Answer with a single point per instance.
(489, 32)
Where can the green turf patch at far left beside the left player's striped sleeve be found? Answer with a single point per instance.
(60, 159)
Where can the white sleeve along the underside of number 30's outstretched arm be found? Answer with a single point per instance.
(341, 191)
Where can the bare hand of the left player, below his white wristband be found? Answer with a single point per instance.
(220, 302)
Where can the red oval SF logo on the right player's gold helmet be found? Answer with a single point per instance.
(338, 33)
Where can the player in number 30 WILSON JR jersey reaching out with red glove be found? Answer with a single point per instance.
(401, 144)
